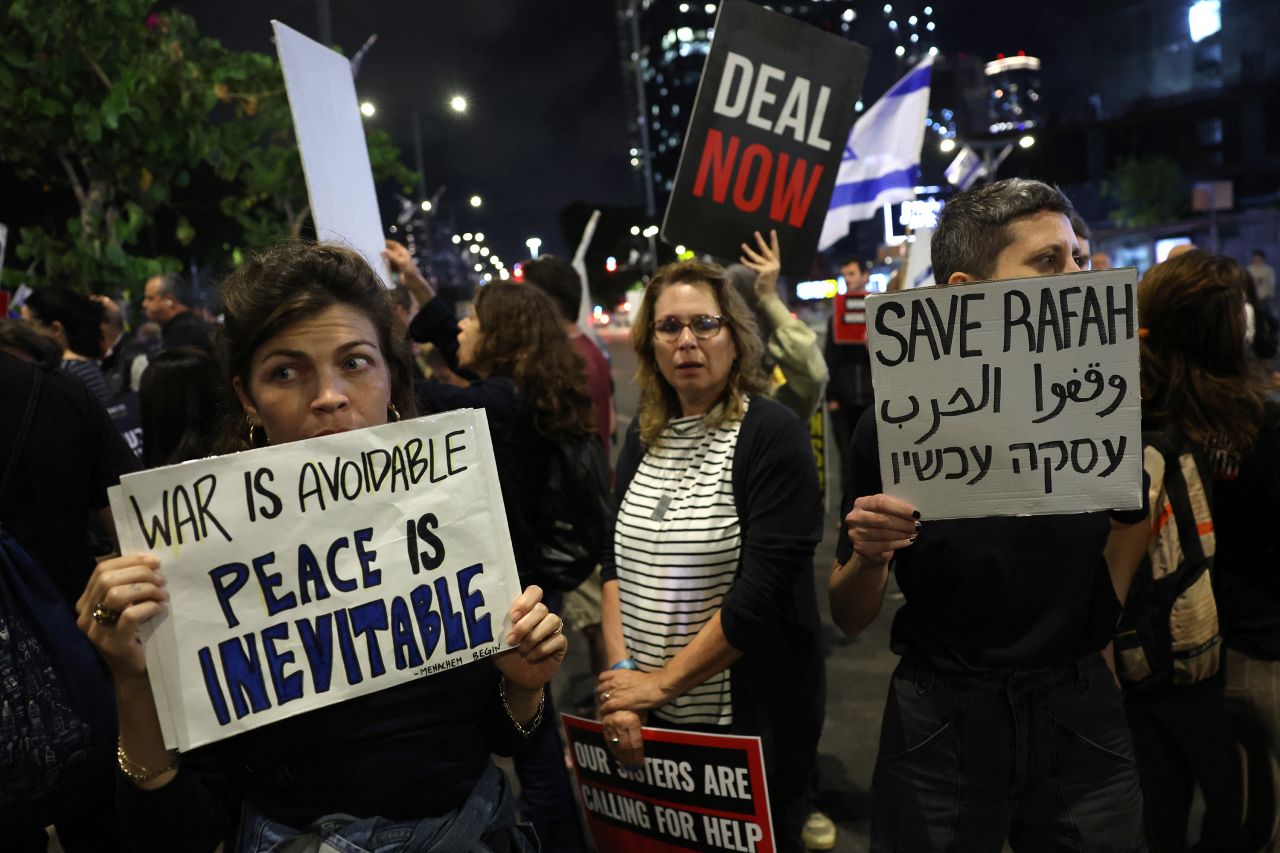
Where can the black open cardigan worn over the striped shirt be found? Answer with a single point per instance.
(771, 612)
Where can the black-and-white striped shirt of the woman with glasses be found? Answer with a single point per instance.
(676, 549)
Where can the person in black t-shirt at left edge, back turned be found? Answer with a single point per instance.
(71, 457)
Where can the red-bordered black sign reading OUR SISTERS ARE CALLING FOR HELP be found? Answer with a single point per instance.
(696, 792)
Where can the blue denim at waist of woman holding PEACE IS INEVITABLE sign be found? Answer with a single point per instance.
(484, 824)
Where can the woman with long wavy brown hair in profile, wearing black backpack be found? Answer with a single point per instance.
(533, 390)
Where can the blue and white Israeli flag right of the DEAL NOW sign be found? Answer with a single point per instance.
(883, 161)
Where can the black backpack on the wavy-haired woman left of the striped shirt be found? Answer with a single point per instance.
(575, 513)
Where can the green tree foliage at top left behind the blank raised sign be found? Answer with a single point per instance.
(121, 111)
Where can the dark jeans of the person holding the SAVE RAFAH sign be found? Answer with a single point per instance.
(1040, 758)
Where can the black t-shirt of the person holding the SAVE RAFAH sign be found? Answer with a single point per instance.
(996, 592)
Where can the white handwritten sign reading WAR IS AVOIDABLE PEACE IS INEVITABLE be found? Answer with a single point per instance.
(310, 573)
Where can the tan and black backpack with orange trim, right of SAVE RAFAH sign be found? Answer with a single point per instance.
(1169, 635)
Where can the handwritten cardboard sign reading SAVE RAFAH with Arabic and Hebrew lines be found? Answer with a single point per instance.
(1016, 398)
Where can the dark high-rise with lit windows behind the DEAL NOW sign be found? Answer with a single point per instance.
(665, 47)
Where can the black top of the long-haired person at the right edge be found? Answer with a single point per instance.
(1247, 564)
